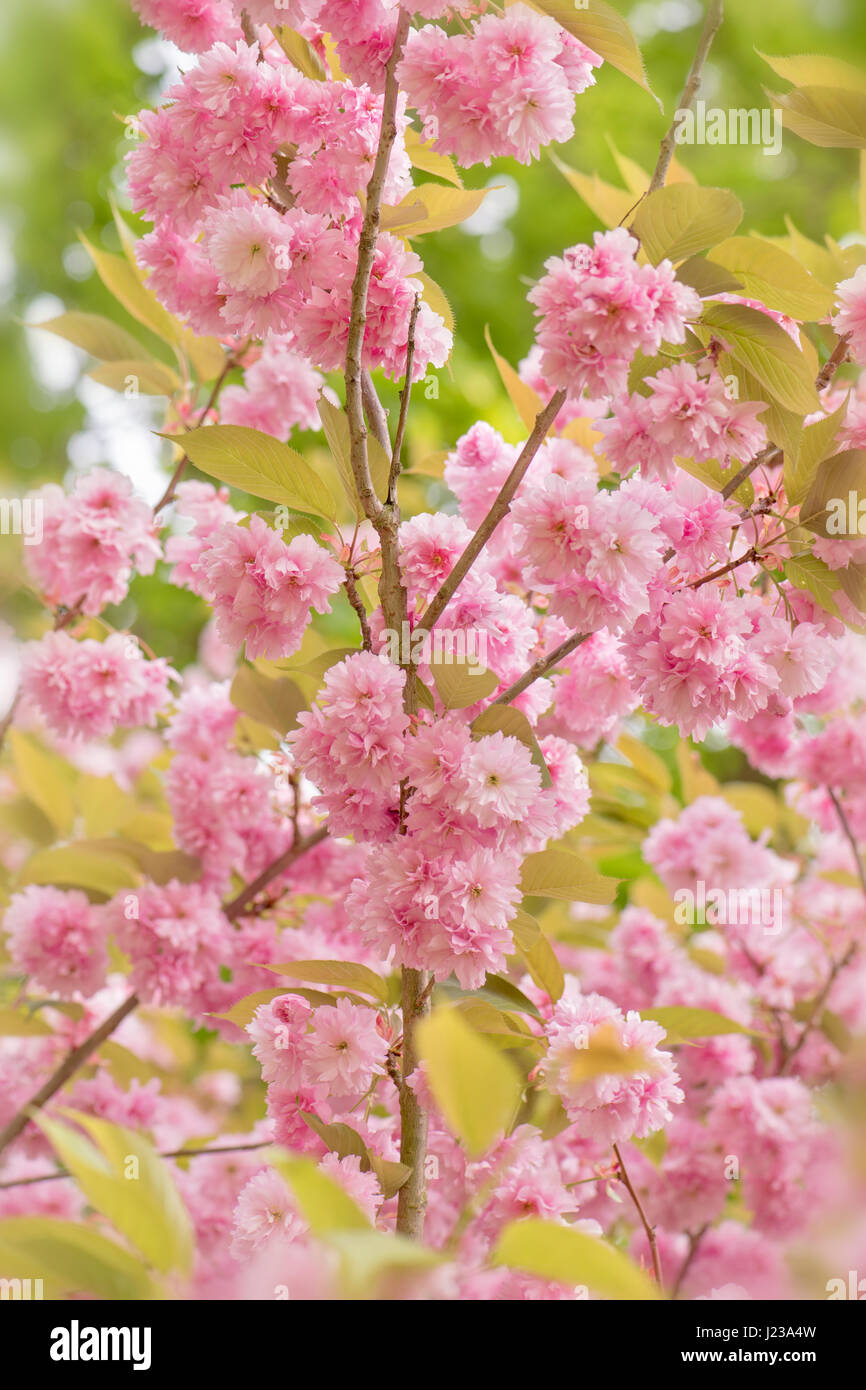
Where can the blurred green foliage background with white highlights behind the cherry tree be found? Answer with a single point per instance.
(72, 69)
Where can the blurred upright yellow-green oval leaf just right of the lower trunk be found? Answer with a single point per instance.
(475, 1086)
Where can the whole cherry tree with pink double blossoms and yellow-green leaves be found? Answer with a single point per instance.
(475, 976)
